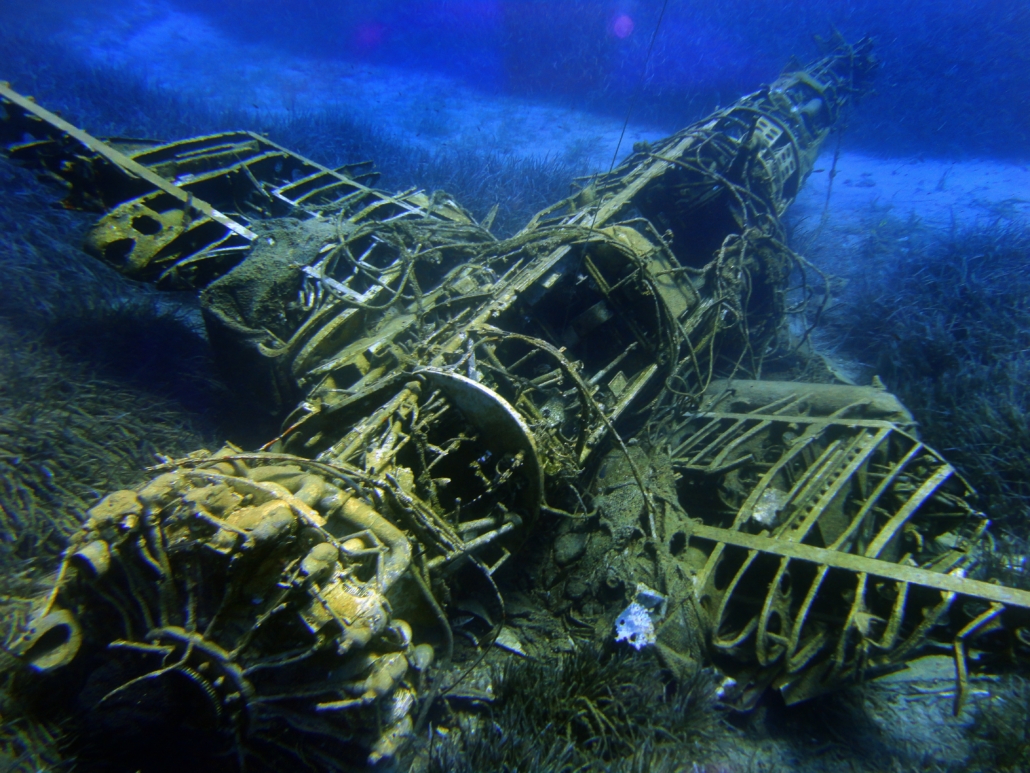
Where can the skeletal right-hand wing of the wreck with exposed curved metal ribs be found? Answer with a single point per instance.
(841, 544)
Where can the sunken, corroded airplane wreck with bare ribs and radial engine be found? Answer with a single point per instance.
(448, 391)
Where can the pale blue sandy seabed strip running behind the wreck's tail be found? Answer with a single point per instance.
(437, 112)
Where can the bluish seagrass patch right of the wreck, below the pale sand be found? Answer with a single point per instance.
(942, 317)
